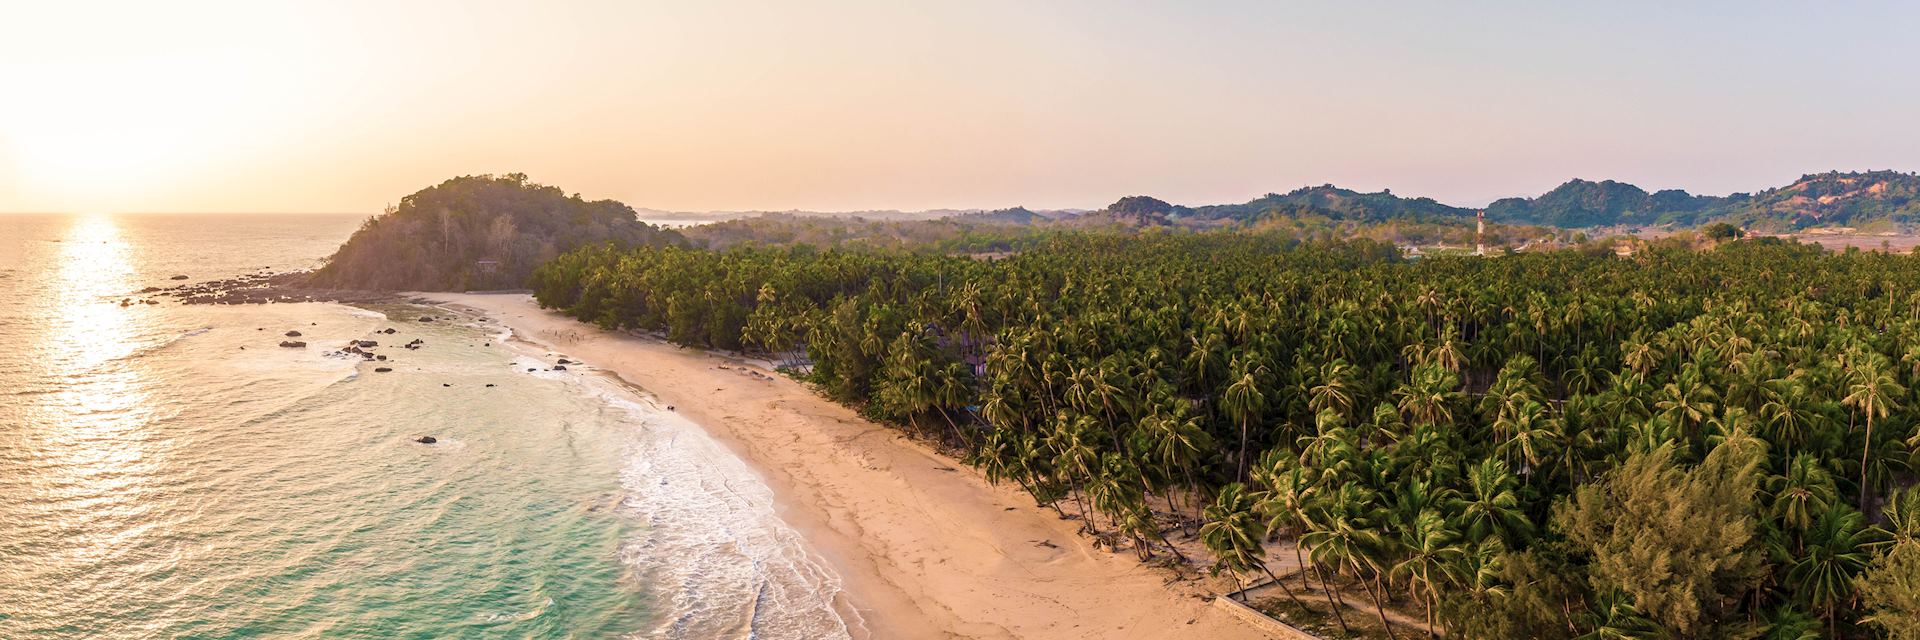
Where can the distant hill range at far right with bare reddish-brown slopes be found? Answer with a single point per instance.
(1861, 199)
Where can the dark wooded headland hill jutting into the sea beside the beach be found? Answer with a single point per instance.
(475, 234)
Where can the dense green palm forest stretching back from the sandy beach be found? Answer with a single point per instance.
(1677, 445)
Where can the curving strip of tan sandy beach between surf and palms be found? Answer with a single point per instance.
(924, 545)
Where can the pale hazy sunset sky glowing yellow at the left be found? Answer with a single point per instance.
(890, 105)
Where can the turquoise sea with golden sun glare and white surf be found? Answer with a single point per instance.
(170, 472)
